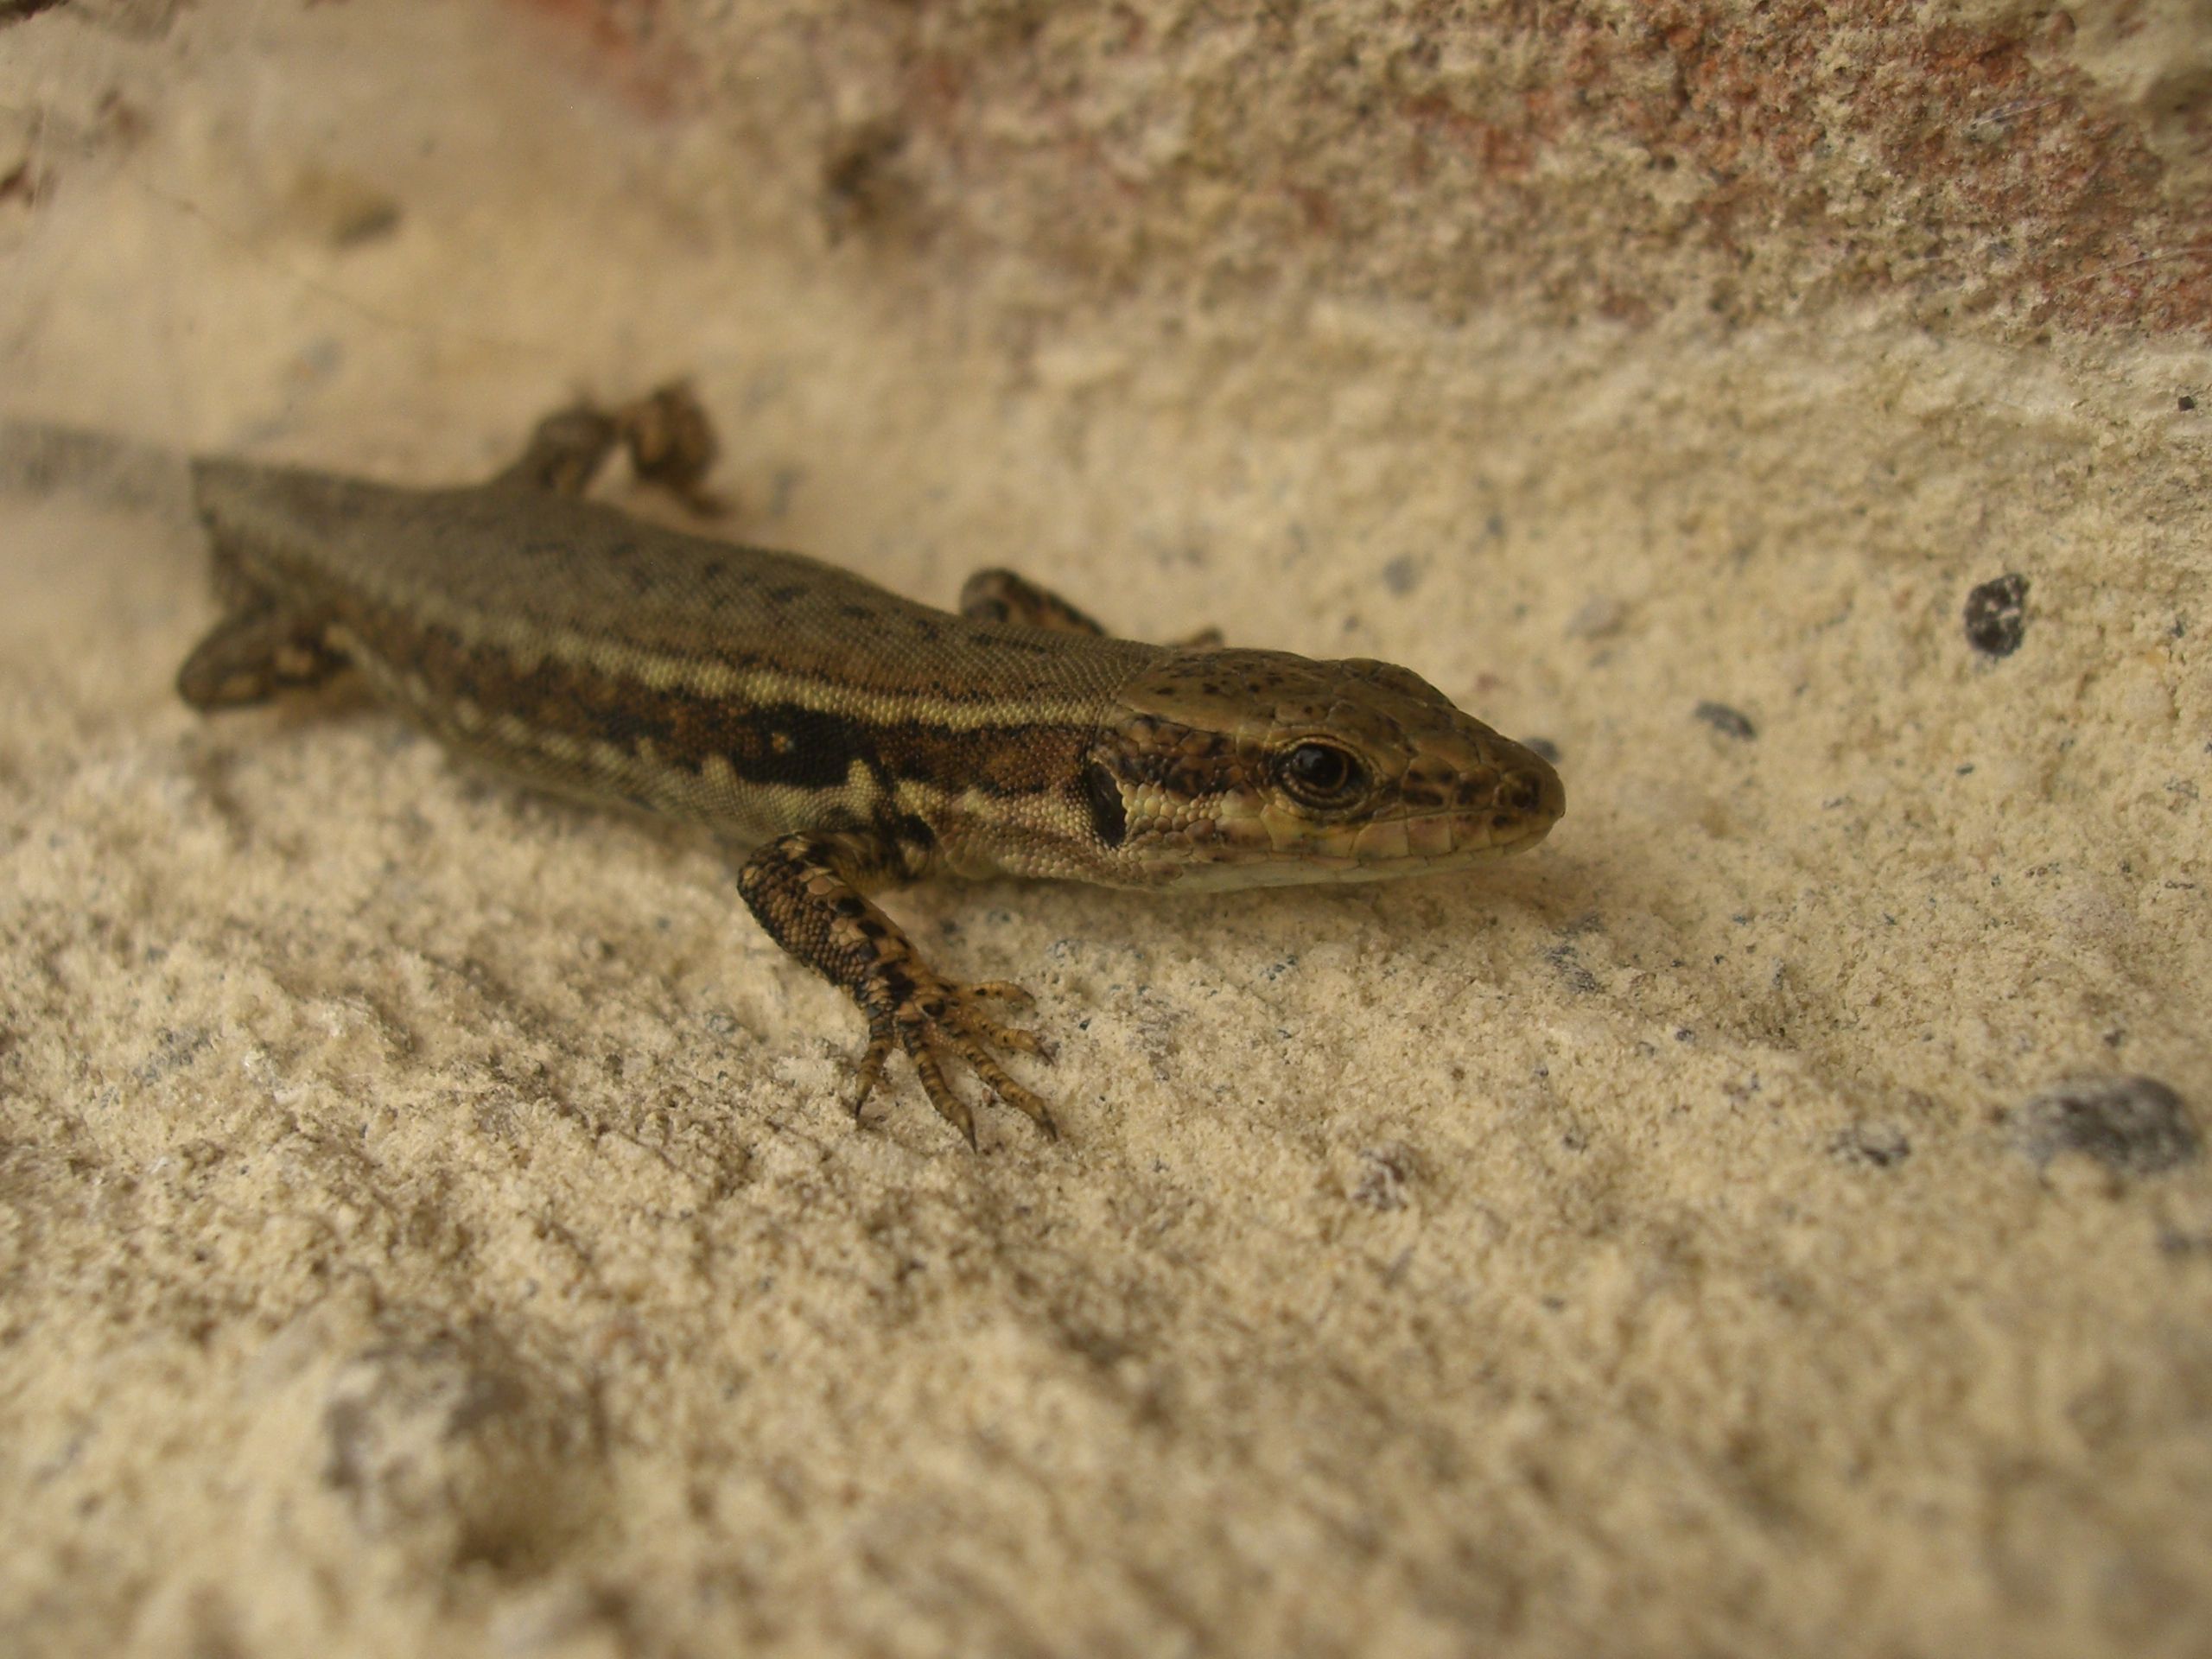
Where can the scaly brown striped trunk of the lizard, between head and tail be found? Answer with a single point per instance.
(618, 660)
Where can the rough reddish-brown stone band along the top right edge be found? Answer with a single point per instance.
(1627, 163)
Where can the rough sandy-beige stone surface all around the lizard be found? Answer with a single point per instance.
(1768, 1220)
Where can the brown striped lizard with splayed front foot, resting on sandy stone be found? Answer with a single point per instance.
(837, 738)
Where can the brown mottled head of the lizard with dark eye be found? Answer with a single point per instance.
(1255, 769)
